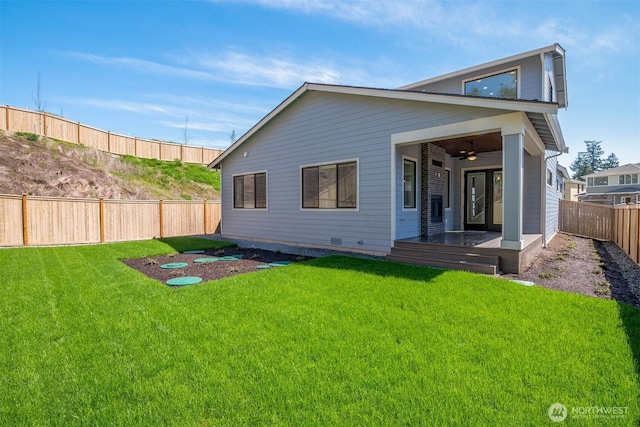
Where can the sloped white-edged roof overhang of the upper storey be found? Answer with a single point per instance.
(560, 73)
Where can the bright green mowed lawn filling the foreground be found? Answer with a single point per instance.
(85, 340)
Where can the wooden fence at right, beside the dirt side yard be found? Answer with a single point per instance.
(620, 224)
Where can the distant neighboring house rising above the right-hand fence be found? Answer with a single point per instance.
(613, 186)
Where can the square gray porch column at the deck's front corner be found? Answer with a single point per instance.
(512, 169)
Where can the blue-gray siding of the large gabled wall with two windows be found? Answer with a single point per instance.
(323, 127)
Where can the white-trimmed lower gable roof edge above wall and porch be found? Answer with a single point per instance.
(543, 115)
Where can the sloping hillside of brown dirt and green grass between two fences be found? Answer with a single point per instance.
(44, 167)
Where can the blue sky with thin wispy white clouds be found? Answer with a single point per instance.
(141, 68)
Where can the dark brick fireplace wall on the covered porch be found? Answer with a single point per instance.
(432, 183)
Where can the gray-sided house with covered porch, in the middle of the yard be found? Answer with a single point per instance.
(449, 171)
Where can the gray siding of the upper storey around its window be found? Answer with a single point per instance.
(531, 77)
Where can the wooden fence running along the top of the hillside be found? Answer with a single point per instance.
(19, 120)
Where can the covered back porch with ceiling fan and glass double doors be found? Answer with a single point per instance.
(481, 196)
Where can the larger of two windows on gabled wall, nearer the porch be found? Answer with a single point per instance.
(330, 186)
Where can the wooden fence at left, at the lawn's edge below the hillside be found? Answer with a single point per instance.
(31, 221)
